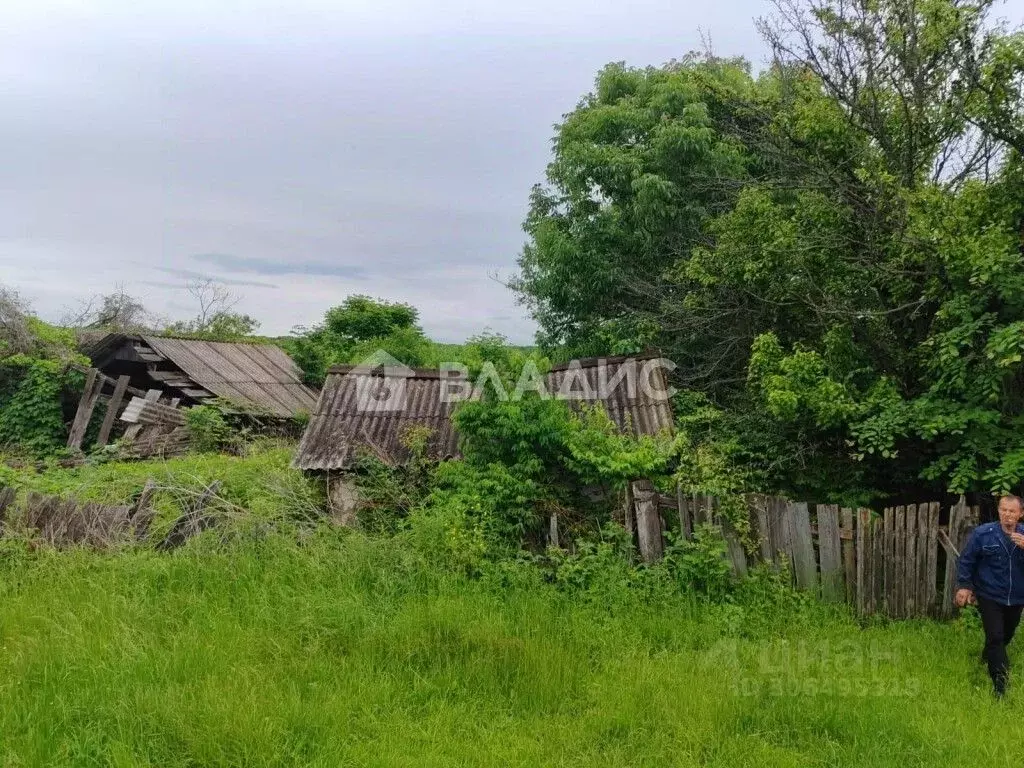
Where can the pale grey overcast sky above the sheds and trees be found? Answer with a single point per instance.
(304, 151)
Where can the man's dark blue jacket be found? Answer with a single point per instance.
(993, 566)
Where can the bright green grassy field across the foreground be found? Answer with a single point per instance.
(340, 651)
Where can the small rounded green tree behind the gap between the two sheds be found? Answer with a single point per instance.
(355, 330)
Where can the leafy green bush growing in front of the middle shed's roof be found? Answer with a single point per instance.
(522, 461)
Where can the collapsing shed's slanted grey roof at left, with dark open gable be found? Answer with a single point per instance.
(261, 377)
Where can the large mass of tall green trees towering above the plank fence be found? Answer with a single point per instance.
(831, 251)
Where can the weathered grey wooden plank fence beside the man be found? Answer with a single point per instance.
(901, 563)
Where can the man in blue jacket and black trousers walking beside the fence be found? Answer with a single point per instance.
(992, 575)
